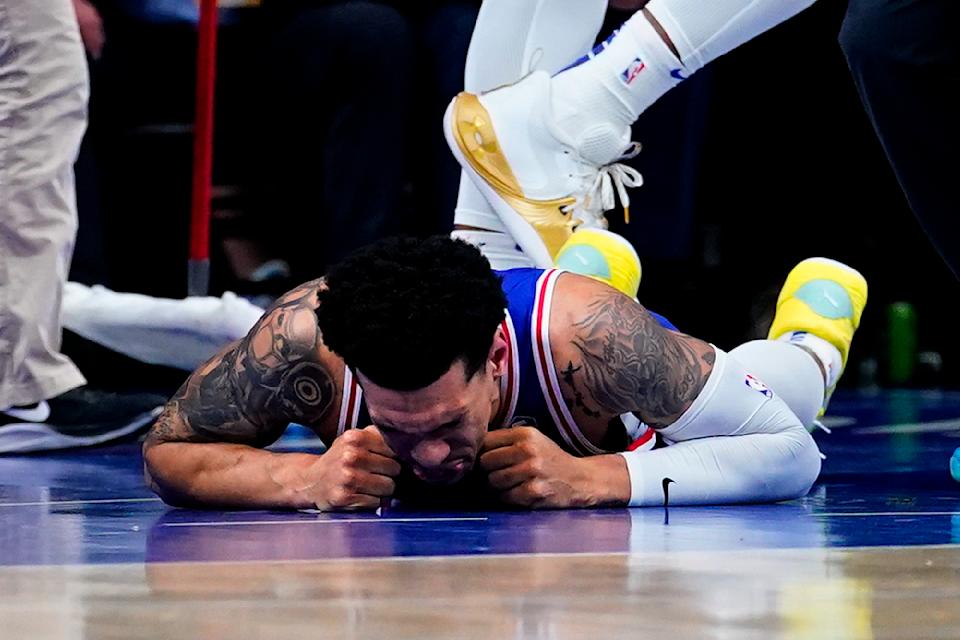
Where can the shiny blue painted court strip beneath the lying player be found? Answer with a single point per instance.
(879, 487)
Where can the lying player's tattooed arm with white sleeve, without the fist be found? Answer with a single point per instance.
(731, 442)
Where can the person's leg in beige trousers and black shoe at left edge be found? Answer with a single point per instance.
(44, 88)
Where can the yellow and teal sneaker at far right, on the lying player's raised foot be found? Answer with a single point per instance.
(824, 298)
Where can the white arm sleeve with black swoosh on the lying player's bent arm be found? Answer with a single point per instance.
(738, 442)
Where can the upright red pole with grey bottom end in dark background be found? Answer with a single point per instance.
(198, 274)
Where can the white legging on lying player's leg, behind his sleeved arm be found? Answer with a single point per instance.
(790, 371)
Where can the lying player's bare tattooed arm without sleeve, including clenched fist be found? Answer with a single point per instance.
(206, 447)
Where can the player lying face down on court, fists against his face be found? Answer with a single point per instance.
(418, 365)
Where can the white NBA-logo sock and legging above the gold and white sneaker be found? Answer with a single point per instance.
(637, 66)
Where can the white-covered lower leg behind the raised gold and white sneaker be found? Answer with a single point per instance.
(512, 38)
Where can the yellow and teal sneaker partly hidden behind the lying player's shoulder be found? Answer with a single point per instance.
(604, 256)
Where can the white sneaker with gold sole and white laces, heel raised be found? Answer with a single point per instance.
(542, 183)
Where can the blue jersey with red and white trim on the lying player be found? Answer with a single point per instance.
(530, 389)
